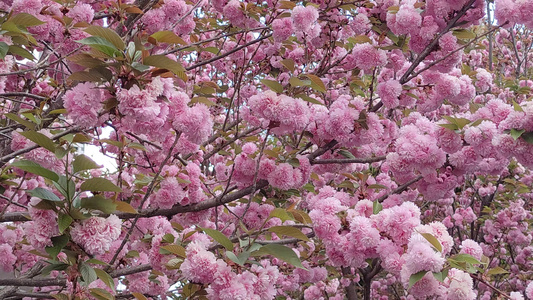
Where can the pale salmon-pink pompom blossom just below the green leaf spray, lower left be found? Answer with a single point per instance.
(96, 234)
